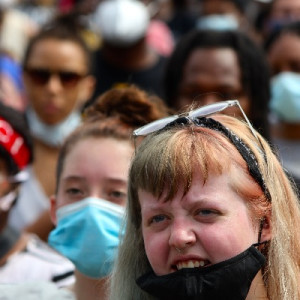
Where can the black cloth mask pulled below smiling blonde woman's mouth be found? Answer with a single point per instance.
(229, 279)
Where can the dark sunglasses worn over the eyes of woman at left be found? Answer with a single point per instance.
(41, 76)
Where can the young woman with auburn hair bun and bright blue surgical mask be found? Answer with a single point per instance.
(88, 206)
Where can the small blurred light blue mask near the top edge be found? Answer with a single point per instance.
(218, 22)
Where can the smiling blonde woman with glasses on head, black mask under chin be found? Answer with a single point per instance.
(211, 213)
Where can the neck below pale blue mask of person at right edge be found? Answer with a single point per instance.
(288, 131)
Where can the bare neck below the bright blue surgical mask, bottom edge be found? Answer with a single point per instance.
(86, 288)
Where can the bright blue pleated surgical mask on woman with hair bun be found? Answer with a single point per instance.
(88, 233)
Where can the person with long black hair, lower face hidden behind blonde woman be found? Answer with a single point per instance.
(208, 66)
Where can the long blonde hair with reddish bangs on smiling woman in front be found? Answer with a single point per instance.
(168, 159)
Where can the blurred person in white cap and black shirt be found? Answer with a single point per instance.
(125, 56)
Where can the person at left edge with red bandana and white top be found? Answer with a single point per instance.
(23, 256)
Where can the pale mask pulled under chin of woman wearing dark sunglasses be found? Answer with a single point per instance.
(52, 135)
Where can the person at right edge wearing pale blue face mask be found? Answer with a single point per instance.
(283, 51)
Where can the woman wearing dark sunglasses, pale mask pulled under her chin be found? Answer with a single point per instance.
(56, 72)
